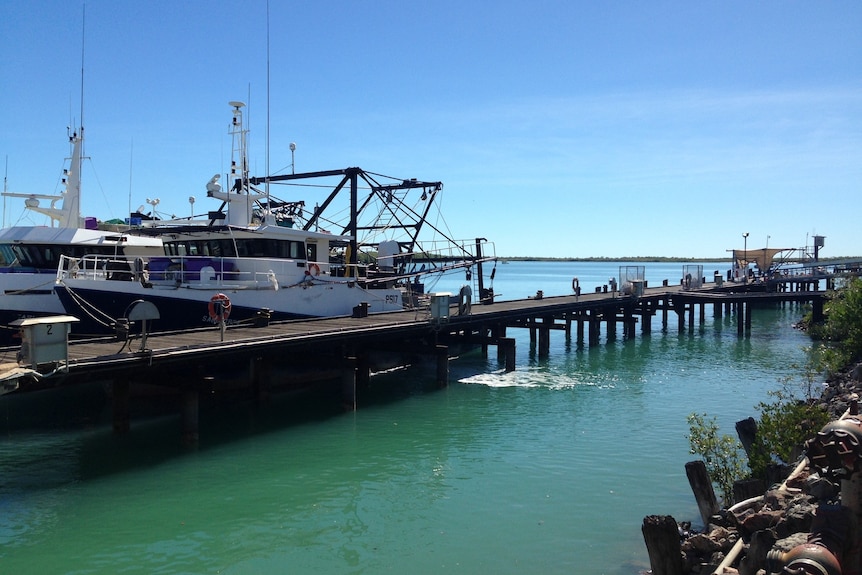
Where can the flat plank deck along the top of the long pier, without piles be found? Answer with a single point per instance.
(107, 355)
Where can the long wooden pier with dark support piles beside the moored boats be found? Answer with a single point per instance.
(255, 361)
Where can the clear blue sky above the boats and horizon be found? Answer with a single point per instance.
(559, 128)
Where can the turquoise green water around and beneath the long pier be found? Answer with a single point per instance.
(549, 469)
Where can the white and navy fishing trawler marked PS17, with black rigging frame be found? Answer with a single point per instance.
(260, 257)
